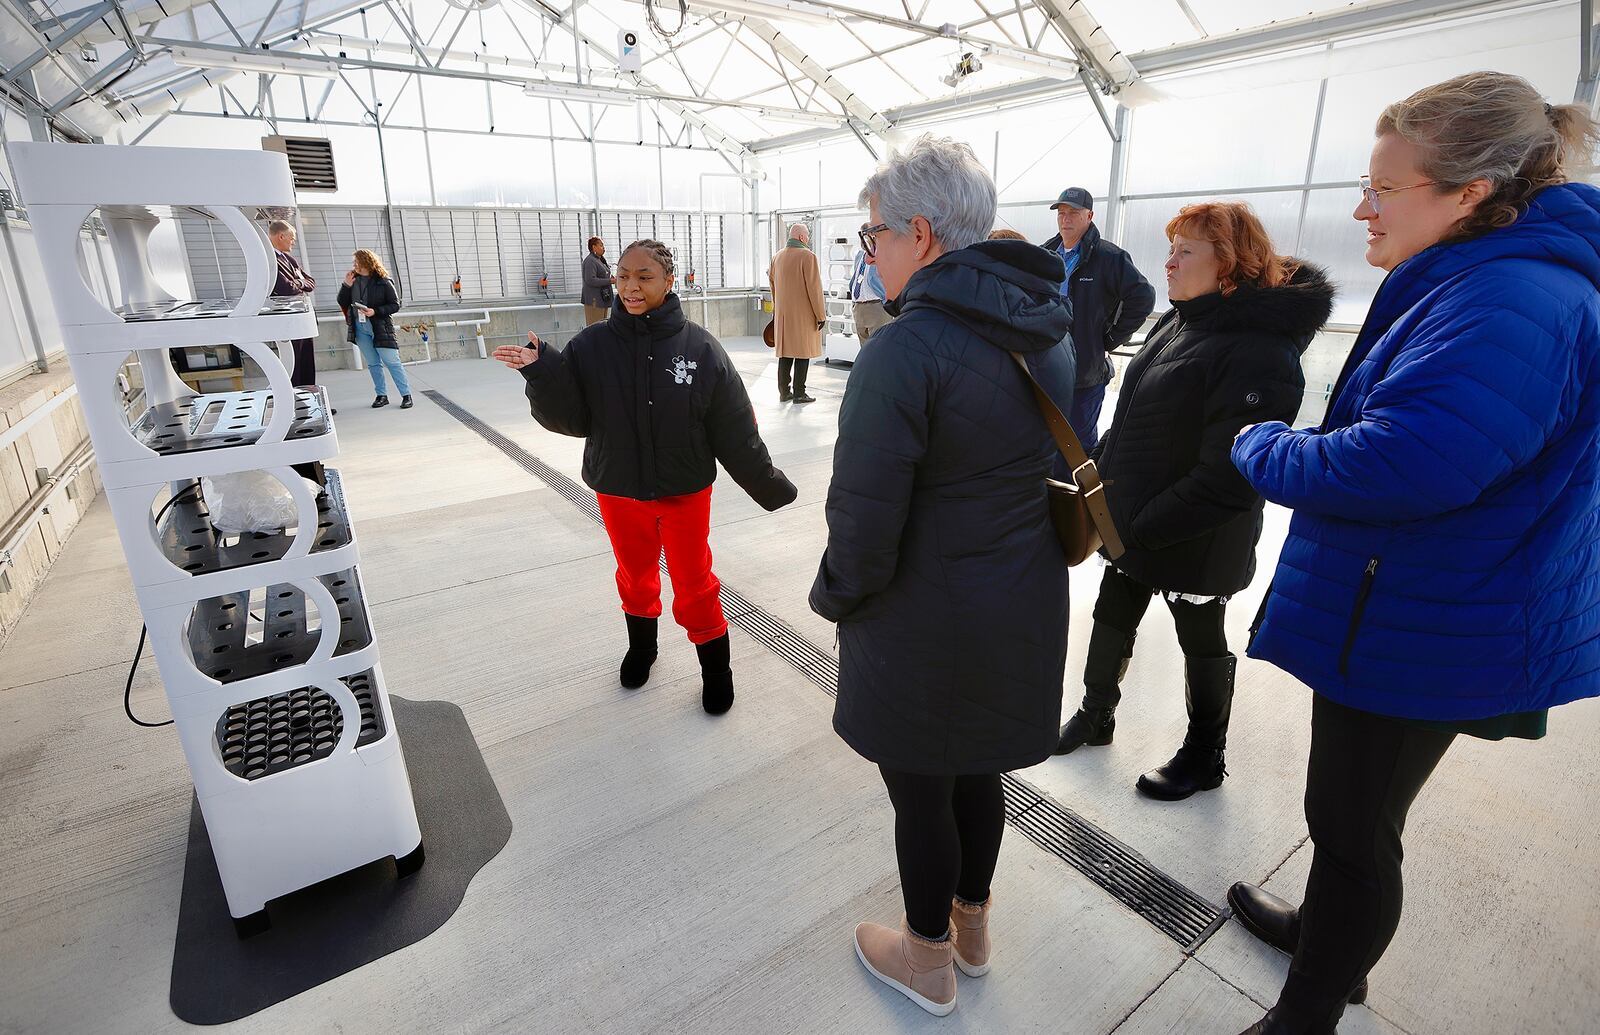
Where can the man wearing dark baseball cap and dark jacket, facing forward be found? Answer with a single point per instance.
(1110, 300)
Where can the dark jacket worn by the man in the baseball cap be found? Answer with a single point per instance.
(1110, 297)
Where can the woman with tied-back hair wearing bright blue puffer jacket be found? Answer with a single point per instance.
(1442, 572)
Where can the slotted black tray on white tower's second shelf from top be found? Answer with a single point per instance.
(226, 420)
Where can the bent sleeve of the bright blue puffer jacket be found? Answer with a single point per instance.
(1474, 396)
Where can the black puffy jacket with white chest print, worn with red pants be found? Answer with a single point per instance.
(660, 404)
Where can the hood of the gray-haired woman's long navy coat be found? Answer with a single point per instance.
(1004, 292)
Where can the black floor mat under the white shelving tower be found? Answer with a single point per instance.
(346, 922)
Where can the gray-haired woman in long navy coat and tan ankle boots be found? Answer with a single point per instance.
(943, 570)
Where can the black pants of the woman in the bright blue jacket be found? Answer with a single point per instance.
(1364, 775)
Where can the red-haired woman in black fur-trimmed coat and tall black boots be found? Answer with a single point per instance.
(1225, 356)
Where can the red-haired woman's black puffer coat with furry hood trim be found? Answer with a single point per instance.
(1210, 367)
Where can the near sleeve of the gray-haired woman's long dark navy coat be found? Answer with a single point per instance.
(882, 436)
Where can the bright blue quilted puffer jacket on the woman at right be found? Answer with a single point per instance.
(1444, 561)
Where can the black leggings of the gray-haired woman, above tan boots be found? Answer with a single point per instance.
(946, 839)
